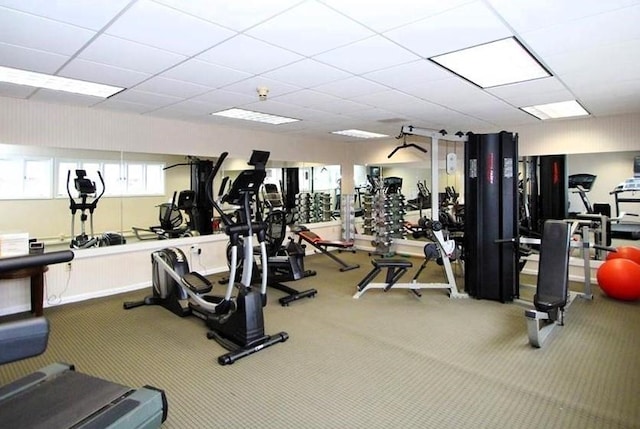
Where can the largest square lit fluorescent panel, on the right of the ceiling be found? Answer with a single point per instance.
(492, 64)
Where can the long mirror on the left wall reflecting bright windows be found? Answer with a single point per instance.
(33, 182)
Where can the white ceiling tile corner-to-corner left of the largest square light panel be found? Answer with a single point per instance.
(367, 55)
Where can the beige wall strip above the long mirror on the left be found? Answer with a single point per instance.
(40, 124)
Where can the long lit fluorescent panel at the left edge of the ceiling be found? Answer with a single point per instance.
(56, 83)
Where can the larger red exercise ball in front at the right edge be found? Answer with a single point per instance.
(620, 279)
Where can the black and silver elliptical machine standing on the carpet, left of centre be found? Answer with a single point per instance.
(235, 322)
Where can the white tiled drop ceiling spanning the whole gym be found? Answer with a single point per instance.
(333, 64)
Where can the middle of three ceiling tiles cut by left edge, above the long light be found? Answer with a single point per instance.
(22, 29)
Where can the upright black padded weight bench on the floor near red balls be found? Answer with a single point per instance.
(552, 289)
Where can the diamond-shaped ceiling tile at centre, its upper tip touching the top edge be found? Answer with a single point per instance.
(309, 29)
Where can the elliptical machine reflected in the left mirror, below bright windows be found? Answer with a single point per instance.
(86, 189)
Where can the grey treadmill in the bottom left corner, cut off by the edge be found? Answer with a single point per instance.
(57, 396)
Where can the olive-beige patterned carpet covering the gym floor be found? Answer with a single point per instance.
(386, 360)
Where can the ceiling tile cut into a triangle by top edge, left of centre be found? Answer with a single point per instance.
(234, 14)
